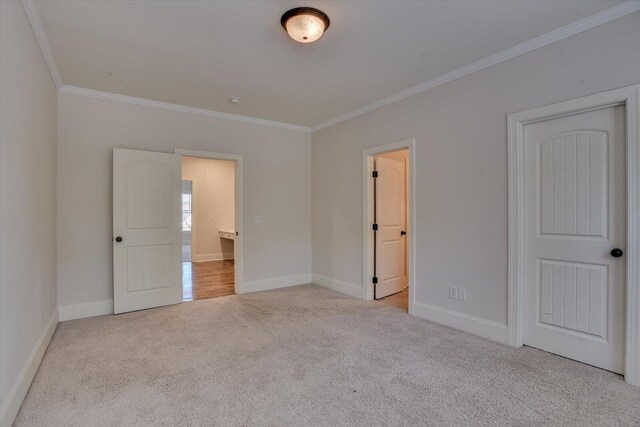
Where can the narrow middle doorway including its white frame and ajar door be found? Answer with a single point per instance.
(388, 224)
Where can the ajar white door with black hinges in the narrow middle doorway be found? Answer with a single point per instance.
(390, 217)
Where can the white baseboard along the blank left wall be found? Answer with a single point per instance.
(11, 405)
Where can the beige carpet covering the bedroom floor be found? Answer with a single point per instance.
(306, 356)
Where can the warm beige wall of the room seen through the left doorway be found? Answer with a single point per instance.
(212, 206)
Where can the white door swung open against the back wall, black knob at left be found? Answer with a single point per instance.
(146, 230)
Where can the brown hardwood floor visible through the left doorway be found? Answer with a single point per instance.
(210, 279)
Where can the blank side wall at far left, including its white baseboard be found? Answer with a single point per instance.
(28, 105)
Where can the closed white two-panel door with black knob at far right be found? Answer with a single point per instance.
(575, 228)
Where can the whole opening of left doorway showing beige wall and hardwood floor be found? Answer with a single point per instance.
(208, 228)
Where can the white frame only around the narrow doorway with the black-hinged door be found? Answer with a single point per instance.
(368, 155)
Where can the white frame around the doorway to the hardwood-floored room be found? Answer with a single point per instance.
(239, 198)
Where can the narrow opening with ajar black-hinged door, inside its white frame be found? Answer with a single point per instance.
(391, 238)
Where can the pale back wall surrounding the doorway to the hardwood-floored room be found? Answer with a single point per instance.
(276, 187)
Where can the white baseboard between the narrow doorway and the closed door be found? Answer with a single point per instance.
(474, 325)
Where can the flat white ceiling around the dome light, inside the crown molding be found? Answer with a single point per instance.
(200, 53)
